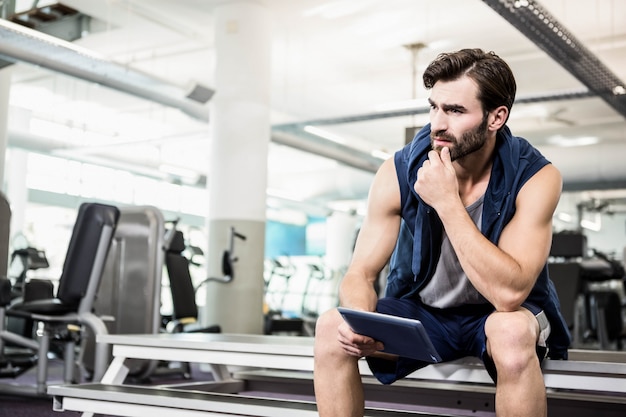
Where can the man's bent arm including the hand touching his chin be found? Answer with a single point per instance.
(504, 274)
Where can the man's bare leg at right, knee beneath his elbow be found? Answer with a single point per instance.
(511, 342)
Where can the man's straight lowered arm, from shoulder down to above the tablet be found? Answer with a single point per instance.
(376, 241)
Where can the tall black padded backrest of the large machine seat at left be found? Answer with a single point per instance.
(86, 254)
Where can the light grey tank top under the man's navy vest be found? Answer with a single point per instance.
(449, 286)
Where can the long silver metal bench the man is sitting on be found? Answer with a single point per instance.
(258, 375)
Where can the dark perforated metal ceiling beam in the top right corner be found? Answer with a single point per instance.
(536, 23)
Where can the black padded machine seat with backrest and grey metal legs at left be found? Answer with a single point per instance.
(73, 304)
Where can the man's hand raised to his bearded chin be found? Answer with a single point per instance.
(436, 179)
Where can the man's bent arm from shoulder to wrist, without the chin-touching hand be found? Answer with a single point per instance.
(505, 274)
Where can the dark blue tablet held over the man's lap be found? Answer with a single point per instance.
(401, 336)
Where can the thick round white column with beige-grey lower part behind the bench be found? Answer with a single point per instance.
(237, 180)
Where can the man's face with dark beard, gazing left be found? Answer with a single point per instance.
(457, 119)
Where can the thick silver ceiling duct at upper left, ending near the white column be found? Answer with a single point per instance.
(18, 43)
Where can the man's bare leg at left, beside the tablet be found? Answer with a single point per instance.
(338, 386)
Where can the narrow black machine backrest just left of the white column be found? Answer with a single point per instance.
(181, 284)
